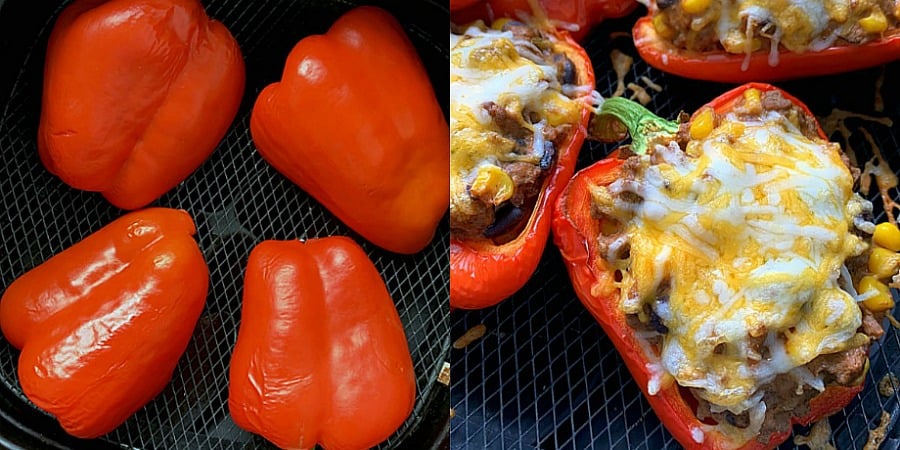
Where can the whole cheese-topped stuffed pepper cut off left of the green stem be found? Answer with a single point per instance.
(520, 96)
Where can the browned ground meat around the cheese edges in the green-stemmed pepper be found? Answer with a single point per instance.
(788, 395)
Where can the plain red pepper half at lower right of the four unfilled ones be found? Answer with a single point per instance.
(321, 356)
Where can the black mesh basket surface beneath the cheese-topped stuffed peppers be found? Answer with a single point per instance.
(545, 376)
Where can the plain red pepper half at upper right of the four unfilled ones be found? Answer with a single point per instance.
(355, 123)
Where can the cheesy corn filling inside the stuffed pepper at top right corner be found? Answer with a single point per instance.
(746, 26)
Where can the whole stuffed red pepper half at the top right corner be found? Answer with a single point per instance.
(764, 40)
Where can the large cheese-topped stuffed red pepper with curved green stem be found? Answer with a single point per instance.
(731, 263)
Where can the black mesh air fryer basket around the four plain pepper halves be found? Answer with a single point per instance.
(237, 200)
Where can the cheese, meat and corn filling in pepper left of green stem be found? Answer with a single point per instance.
(514, 100)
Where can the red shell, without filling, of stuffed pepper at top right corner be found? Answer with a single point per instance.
(721, 66)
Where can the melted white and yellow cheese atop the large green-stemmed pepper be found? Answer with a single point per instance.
(746, 232)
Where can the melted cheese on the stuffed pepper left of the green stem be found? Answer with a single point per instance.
(491, 66)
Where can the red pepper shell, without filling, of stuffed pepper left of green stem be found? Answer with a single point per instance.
(482, 272)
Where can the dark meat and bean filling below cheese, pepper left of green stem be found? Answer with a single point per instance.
(526, 165)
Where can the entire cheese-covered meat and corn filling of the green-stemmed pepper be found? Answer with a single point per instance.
(742, 249)
